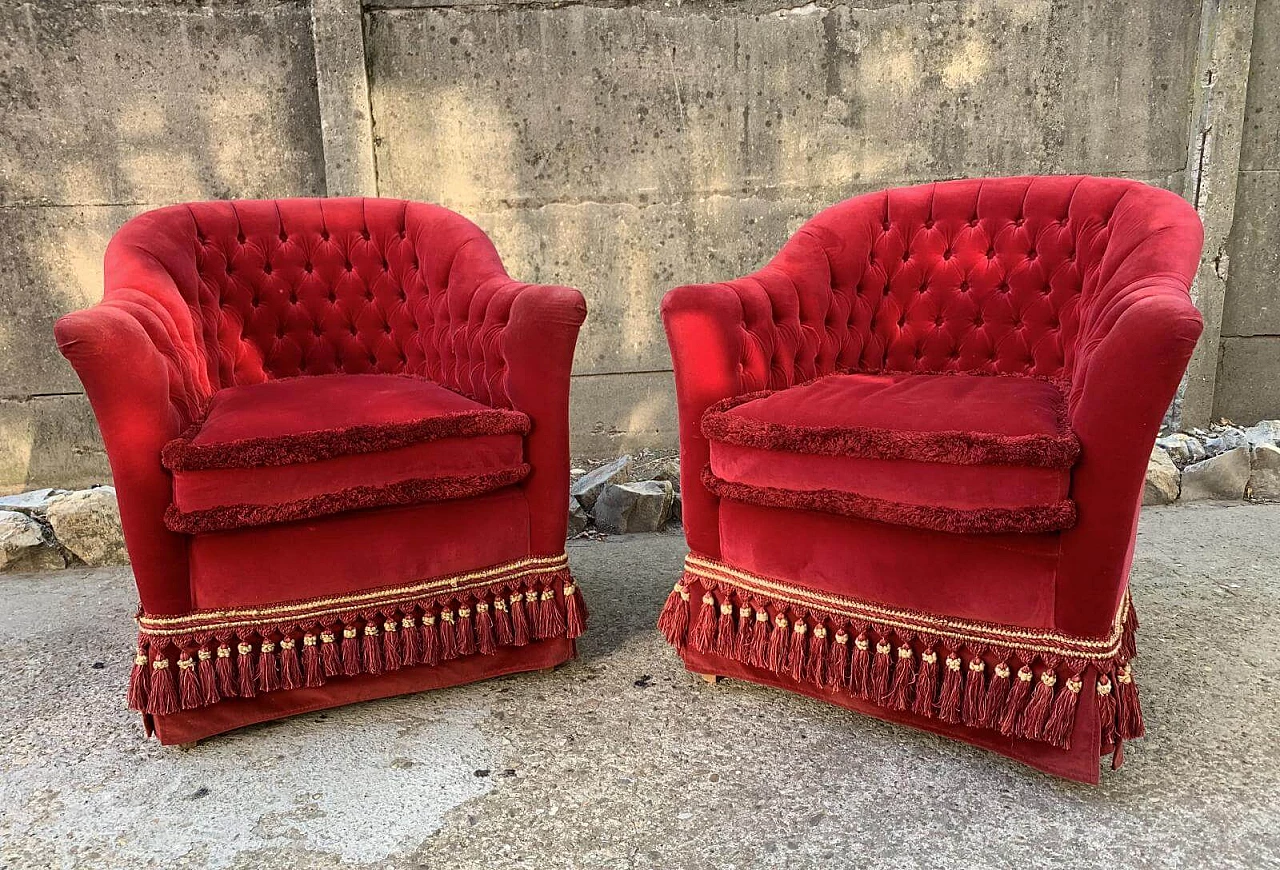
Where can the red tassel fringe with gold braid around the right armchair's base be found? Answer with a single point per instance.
(1025, 684)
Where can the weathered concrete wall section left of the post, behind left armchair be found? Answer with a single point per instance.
(113, 111)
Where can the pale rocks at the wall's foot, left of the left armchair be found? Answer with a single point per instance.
(54, 529)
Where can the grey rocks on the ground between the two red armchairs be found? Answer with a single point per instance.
(625, 496)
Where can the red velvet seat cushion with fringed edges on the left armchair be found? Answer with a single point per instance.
(308, 447)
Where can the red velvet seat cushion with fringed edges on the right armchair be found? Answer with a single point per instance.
(954, 454)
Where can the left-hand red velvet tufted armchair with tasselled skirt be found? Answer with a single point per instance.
(340, 437)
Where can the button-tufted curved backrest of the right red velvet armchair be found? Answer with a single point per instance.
(986, 276)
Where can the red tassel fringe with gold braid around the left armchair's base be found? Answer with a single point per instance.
(191, 662)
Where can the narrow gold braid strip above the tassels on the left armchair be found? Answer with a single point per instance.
(216, 621)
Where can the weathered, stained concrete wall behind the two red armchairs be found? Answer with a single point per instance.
(621, 148)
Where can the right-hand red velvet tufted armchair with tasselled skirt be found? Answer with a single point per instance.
(913, 455)
